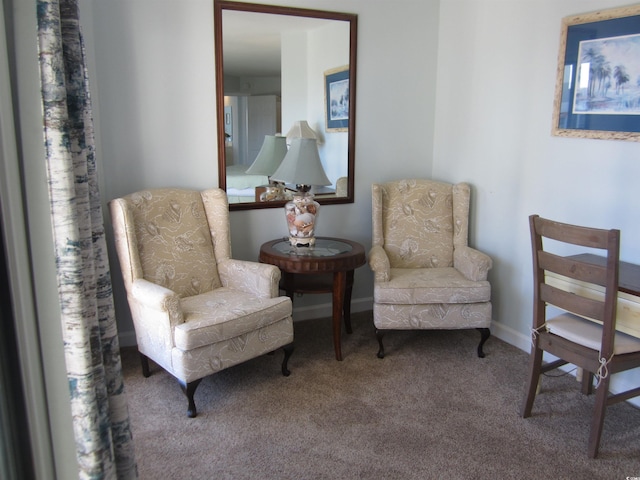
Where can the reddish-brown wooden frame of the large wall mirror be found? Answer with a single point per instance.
(218, 7)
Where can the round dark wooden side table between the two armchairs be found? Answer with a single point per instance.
(326, 267)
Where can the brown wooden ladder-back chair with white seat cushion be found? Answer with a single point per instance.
(584, 334)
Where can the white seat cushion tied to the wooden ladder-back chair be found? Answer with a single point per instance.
(589, 334)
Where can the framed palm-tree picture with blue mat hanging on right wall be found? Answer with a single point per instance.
(598, 80)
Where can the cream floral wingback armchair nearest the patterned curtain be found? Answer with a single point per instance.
(195, 310)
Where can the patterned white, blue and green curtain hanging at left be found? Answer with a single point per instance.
(104, 443)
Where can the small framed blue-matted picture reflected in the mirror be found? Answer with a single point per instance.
(336, 99)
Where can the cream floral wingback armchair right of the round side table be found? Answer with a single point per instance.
(425, 274)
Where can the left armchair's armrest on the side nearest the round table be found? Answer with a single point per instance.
(259, 279)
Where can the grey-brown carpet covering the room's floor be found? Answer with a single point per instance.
(430, 409)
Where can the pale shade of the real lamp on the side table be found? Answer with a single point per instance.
(301, 165)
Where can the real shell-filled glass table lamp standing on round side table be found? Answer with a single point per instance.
(302, 167)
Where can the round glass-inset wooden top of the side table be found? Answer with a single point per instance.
(327, 255)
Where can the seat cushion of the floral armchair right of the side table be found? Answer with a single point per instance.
(411, 286)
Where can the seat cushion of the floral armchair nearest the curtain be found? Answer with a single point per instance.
(225, 313)
